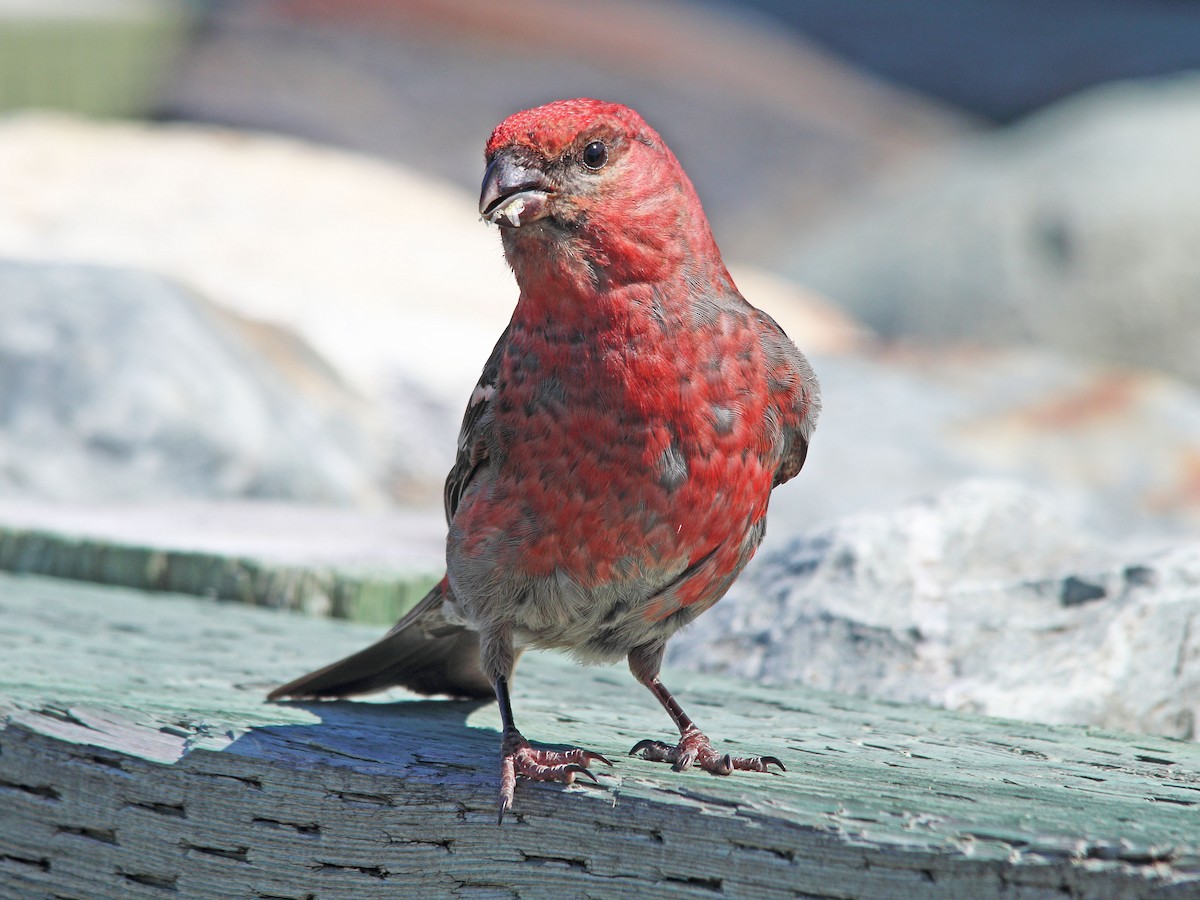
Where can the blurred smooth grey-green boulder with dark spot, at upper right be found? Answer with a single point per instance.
(1077, 230)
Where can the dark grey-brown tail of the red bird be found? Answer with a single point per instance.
(423, 652)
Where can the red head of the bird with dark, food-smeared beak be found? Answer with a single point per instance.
(587, 194)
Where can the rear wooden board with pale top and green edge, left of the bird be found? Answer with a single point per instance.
(368, 567)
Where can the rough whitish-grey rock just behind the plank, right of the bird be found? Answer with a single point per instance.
(985, 598)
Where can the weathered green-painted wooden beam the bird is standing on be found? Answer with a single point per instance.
(139, 759)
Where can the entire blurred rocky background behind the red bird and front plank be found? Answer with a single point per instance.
(245, 293)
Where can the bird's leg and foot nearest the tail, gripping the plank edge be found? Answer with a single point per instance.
(518, 755)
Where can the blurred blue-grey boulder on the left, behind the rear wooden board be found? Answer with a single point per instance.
(121, 386)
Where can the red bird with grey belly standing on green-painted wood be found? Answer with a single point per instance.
(619, 453)
